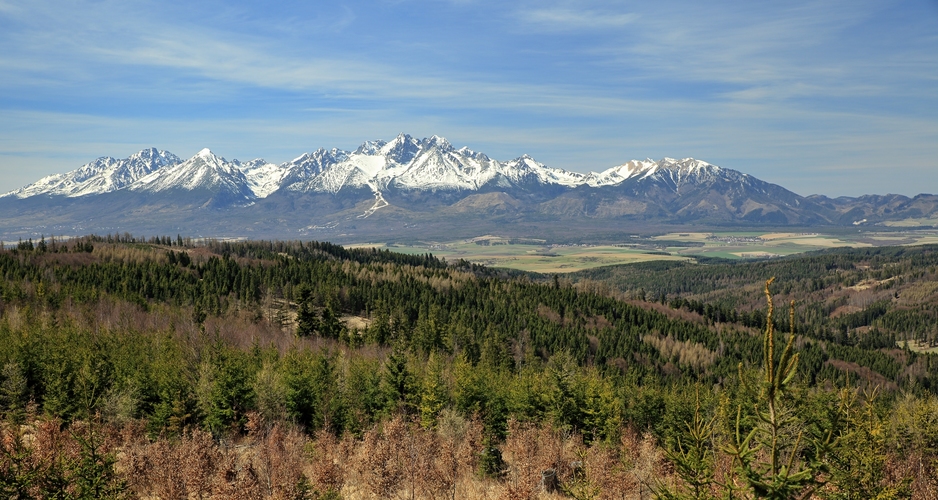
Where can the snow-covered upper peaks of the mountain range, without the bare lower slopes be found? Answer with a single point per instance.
(404, 163)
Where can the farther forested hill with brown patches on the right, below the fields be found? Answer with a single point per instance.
(849, 296)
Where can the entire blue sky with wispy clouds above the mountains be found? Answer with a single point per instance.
(834, 97)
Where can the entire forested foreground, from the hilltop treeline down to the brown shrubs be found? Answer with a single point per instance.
(170, 368)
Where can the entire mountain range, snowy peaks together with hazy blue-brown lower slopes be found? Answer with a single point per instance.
(408, 186)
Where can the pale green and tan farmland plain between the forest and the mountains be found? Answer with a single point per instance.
(538, 255)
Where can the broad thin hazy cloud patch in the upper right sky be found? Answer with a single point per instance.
(799, 50)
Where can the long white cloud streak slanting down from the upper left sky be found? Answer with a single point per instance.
(253, 62)
